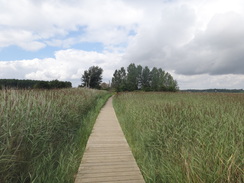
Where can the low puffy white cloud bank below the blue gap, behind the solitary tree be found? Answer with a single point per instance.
(68, 65)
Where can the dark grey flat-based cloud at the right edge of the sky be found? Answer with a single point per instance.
(218, 50)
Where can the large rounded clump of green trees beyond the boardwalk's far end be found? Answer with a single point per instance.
(139, 78)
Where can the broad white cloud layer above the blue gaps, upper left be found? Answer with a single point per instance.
(45, 20)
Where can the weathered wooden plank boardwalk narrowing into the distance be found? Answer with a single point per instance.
(107, 157)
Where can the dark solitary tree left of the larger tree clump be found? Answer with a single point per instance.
(93, 77)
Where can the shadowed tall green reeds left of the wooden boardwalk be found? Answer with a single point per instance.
(43, 133)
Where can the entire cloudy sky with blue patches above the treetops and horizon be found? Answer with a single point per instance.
(199, 42)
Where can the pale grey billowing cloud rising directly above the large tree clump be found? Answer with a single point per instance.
(155, 45)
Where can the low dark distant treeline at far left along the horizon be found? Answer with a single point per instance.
(33, 84)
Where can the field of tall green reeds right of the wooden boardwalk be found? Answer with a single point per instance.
(185, 137)
